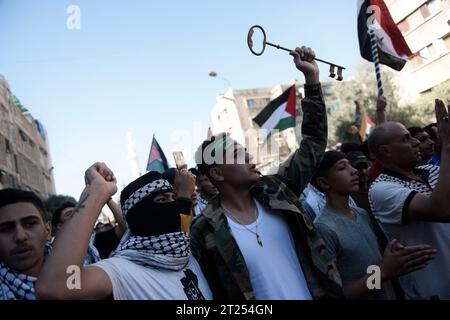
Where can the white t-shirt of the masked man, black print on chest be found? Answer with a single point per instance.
(131, 281)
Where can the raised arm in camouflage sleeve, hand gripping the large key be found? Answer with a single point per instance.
(299, 168)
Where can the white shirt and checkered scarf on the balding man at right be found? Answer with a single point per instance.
(389, 197)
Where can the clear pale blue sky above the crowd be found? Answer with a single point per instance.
(142, 66)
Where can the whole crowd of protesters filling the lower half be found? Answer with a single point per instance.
(223, 230)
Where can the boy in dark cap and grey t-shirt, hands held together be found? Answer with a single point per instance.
(350, 238)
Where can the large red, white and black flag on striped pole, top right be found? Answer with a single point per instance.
(392, 47)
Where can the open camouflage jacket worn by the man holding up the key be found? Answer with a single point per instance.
(216, 249)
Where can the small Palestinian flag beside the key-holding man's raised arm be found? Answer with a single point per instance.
(280, 113)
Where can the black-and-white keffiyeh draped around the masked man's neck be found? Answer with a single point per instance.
(168, 251)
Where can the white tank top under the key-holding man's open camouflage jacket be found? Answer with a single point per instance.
(274, 269)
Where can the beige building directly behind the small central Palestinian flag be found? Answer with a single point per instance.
(235, 110)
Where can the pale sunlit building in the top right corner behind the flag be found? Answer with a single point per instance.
(425, 25)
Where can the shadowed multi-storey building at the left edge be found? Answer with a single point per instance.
(25, 161)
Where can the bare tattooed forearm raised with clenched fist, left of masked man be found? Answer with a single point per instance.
(71, 244)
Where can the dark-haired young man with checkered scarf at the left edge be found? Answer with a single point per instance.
(24, 233)
